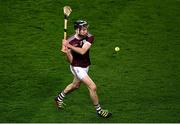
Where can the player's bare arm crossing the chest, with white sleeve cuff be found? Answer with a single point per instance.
(82, 50)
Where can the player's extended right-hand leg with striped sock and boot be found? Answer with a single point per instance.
(92, 91)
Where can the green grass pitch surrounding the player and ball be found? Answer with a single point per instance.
(140, 83)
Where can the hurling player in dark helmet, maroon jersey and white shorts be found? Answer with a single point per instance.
(77, 52)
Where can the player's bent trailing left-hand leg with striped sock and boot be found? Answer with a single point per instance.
(71, 87)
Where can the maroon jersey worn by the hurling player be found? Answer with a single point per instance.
(78, 59)
